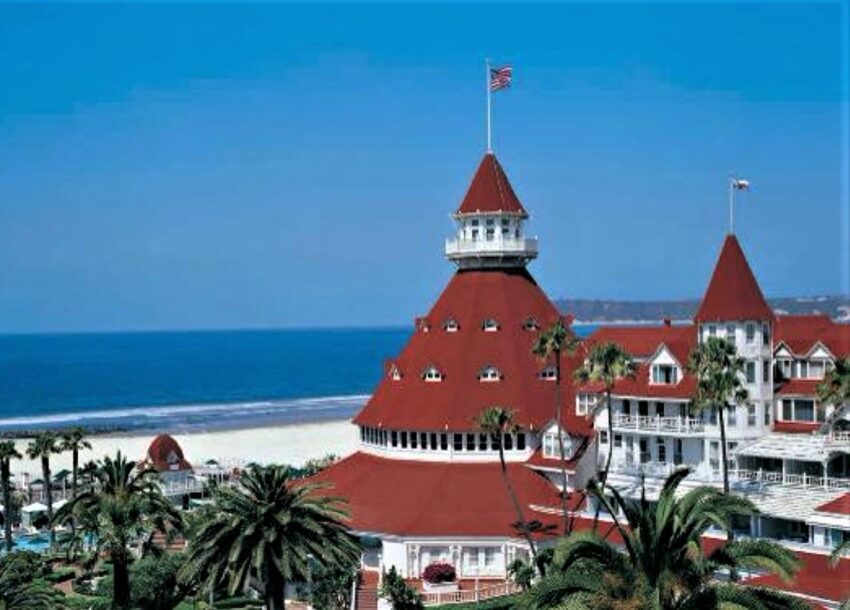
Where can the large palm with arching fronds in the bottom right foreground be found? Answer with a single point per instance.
(662, 565)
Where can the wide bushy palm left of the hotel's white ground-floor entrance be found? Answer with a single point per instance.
(267, 529)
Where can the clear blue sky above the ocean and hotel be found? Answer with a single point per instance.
(223, 166)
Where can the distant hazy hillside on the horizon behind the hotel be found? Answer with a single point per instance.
(601, 310)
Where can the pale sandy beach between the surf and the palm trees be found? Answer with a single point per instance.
(291, 444)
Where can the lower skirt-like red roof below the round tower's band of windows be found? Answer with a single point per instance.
(417, 498)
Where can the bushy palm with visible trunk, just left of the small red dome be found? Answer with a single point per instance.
(123, 505)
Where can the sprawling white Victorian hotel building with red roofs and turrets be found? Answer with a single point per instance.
(425, 485)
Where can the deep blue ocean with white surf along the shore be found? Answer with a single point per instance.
(188, 381)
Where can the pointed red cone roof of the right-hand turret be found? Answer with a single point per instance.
(733, 293)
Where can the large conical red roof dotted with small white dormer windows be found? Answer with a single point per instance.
(510, 297)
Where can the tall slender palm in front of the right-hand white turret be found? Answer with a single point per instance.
(719, 372)
